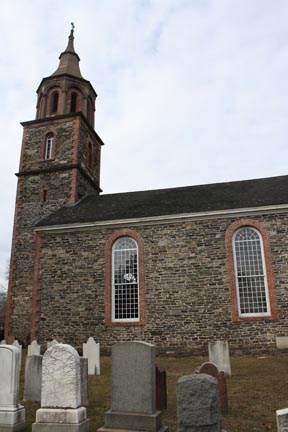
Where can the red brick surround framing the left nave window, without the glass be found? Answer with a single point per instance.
(108, 278)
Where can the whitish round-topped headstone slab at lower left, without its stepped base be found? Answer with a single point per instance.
(61, 383)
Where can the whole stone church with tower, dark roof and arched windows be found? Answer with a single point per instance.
(175, 267)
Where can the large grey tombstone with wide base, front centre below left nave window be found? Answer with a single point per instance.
(133, 404)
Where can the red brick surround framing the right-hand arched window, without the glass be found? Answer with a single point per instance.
(269, 270)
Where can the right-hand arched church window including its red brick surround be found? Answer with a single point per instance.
(253, 295)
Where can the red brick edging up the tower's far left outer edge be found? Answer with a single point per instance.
(11, 284)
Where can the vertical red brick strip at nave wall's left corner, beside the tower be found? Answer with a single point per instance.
(37, 284)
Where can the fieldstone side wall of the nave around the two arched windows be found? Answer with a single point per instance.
(186, 282)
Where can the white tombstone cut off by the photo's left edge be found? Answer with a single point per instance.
(12, 414)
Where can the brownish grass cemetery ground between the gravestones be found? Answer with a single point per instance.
(257, 388)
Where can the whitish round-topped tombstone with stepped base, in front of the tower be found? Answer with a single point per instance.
(61, 409)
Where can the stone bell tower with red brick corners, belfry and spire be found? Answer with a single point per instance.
(59, 164)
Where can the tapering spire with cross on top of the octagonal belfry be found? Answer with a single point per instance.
(69, 59)
